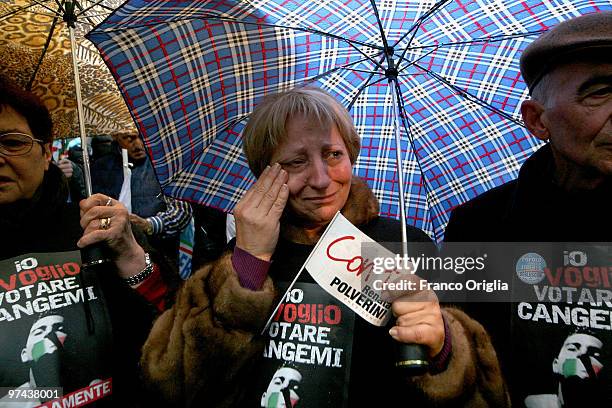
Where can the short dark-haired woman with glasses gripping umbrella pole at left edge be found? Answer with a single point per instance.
(41, 237)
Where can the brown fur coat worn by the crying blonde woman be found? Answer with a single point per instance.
(200, 351)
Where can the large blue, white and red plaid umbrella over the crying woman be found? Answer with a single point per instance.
(443, 76)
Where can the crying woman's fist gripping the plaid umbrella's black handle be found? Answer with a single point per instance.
(419, 320)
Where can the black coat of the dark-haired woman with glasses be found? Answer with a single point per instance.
(46, 223)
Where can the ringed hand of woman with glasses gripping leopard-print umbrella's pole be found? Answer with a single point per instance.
(108, 221)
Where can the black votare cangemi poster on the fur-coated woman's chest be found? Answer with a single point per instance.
(307, 354)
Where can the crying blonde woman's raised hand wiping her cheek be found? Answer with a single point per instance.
(258, 213)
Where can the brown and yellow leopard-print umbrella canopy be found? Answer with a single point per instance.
(35, 52)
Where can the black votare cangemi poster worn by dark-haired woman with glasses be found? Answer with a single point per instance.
(55, 332)
